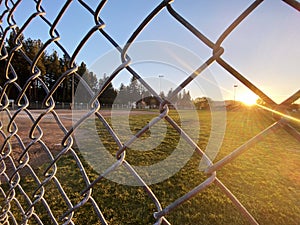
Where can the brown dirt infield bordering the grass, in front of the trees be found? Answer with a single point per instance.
(49, 136)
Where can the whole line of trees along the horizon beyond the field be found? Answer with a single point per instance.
(52, 66)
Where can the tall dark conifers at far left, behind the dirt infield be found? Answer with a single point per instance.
(51, 67)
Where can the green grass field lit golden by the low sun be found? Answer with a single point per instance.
(266, 178)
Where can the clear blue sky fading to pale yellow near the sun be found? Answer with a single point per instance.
(264, 47)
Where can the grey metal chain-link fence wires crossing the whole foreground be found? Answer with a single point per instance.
(19, 205)
